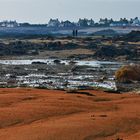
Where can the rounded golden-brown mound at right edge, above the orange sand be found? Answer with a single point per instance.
(128, 74)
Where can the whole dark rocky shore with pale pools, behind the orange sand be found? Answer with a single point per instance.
(68, 62)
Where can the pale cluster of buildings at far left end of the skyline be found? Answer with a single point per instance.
(9, 24)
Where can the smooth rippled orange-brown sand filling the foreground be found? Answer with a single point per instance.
(33, 114)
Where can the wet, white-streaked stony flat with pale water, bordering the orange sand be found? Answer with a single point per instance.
(46, 73)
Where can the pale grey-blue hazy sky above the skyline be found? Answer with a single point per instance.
(40, 11)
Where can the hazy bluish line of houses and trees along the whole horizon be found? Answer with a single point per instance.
(56, 23)
